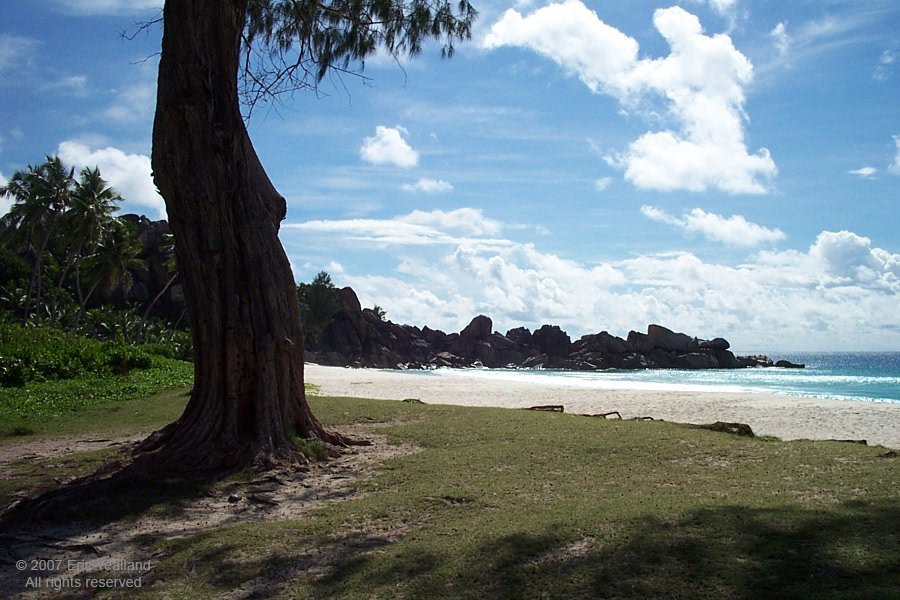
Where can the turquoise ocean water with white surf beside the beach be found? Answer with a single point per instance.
(862, 376)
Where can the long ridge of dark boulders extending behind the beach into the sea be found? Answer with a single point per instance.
(359, 337)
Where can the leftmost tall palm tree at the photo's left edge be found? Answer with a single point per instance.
(41, 195)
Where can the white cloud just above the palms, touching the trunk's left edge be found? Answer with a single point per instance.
(129, 174)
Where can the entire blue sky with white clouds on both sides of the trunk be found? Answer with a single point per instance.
(722, 167)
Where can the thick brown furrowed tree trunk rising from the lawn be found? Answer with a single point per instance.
(248, 401)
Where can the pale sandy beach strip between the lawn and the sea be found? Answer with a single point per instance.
(786, 417)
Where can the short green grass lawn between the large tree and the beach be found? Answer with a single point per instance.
(515, 504)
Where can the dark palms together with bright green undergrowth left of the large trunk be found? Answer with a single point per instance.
(75, 328)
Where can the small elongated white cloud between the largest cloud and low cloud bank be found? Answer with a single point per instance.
(734, 230)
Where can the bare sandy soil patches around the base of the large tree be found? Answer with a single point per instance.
(51, 555)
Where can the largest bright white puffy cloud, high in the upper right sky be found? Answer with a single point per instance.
(701, 82)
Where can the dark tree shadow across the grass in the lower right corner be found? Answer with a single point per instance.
(851, 552)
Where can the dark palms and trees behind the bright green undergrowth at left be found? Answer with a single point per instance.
(67, 261)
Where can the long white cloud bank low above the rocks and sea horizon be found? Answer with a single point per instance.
(450, 266)
